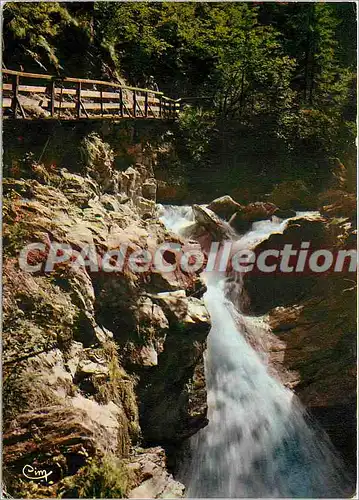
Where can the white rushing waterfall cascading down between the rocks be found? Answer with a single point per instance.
(259, 441)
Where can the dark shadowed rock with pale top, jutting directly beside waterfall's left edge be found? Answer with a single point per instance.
(173, 390)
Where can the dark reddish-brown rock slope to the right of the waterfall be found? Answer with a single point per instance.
(313, 320)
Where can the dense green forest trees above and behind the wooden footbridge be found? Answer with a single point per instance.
(273, 85)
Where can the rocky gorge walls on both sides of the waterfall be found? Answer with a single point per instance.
(103, 372)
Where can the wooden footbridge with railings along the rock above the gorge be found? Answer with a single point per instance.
(31, 96)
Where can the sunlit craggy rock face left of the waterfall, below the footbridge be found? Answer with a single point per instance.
(93, 350)
